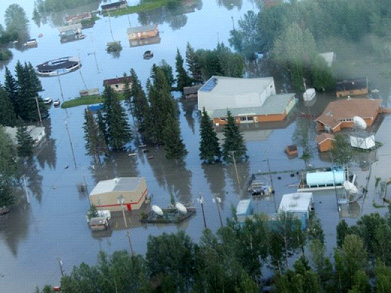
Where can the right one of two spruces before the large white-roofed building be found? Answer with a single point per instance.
(233, 140)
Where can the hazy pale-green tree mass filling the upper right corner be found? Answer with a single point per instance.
(290, 35)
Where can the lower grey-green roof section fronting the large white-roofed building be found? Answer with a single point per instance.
(275, 104)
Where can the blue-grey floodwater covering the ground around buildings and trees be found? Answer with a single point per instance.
(35, 236)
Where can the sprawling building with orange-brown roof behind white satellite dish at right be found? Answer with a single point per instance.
(339, 114)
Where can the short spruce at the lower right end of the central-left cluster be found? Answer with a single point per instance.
(173, 144)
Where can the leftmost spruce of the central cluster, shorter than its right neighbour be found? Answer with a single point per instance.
(94, 139)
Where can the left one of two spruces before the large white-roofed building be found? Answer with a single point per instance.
(209, 144)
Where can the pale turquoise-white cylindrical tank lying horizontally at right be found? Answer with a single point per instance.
(325, 178)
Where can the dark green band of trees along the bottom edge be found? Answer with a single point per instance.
(232, 259)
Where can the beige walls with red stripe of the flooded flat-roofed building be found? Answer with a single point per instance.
(109, 201)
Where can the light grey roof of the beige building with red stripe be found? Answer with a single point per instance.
(117, 184)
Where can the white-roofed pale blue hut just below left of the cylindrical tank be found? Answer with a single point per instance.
(297, 204)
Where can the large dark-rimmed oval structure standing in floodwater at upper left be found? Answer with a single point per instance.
(58, 66)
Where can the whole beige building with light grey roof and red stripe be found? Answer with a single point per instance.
(108, 194)
